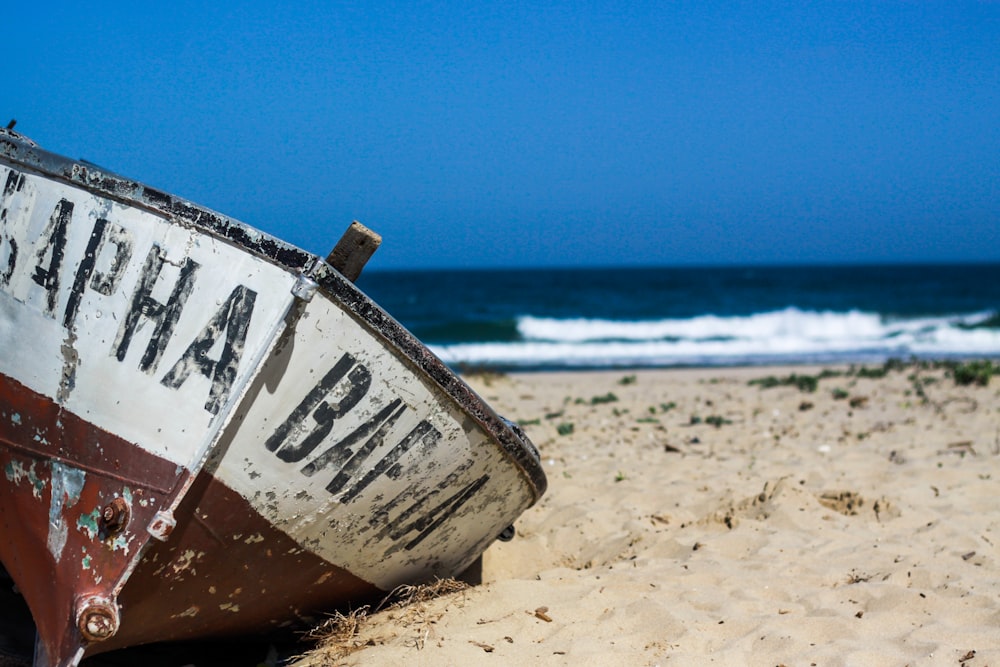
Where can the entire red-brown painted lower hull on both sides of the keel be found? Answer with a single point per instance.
(211, 578)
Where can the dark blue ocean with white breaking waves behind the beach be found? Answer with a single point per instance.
(549, 319)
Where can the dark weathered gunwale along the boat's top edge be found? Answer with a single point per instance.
(19, 150)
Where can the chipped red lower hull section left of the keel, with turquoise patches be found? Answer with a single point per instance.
(41, 442)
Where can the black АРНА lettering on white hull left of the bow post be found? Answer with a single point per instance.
(39, 270)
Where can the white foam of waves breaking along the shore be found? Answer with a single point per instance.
(788, 335)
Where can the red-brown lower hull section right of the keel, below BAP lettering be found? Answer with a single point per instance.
(203, 583)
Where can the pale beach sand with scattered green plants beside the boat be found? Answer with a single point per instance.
(693, 518)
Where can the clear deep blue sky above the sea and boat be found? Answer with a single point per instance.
(540, 134)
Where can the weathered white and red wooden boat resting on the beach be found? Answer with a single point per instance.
(205, 431)
